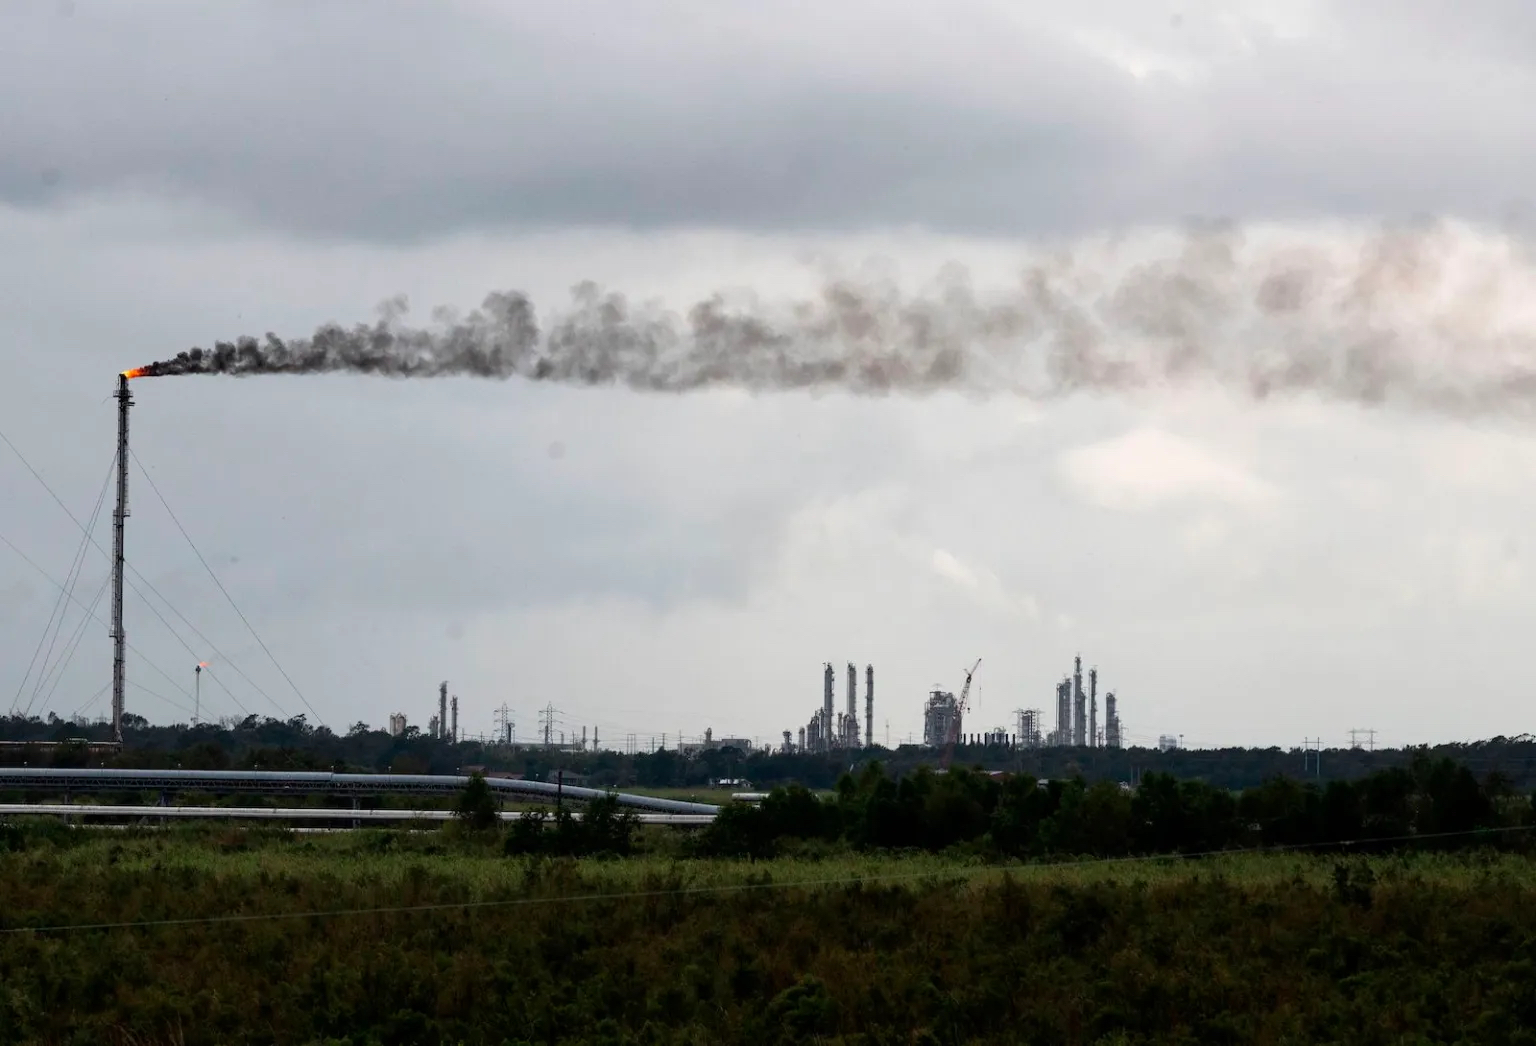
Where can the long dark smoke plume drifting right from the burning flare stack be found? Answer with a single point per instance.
(1434, 317)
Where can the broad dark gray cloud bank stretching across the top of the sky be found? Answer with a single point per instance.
(391, 124)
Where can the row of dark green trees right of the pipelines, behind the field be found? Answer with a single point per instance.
(1431, 801)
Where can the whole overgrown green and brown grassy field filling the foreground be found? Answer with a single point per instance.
(248, 936)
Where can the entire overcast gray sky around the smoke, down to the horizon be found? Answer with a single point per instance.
(1240, 572)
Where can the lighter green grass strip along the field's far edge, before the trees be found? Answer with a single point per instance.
(383, 856)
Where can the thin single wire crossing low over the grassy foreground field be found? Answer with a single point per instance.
(730, 889)
